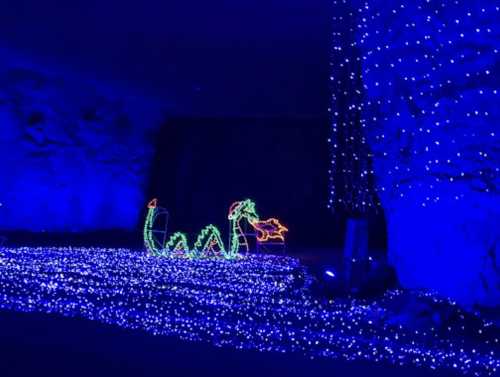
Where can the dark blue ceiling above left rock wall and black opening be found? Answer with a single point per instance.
(204, 58)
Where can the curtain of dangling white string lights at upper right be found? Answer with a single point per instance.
(419, 80)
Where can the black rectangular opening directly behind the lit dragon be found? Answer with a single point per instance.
(202, 165)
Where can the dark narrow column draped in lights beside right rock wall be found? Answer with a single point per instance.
(352, 190)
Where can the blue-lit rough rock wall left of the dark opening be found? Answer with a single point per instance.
(74, 154)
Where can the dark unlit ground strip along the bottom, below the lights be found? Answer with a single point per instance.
(41, 345)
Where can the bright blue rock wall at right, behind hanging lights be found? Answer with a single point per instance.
(431, 71)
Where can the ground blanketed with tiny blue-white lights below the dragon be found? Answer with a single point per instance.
(259, 303)
